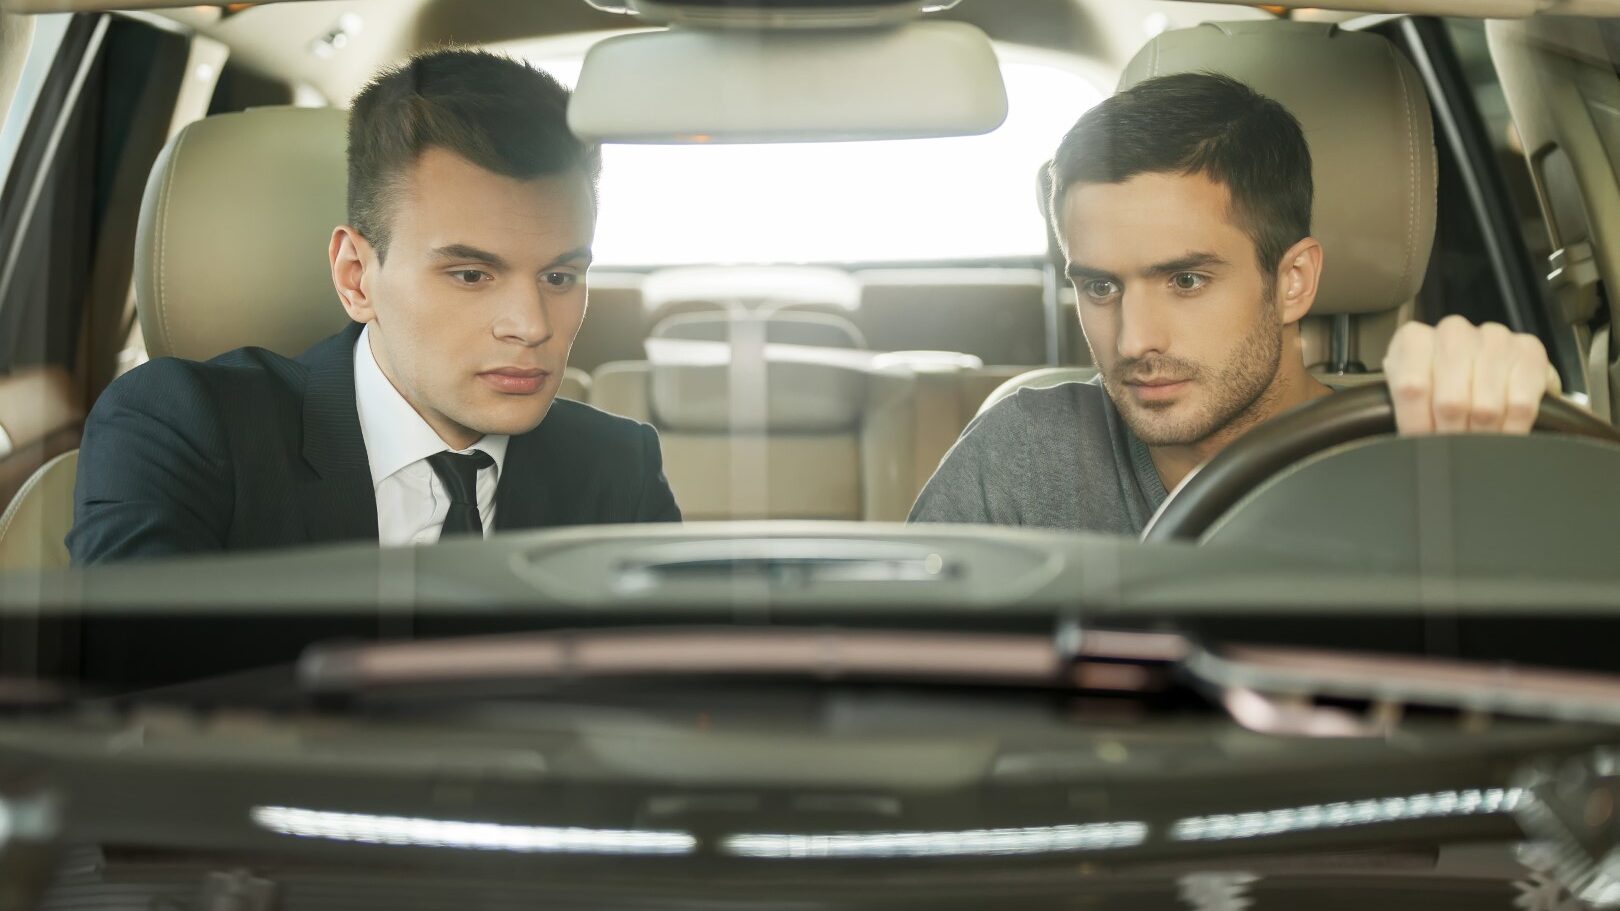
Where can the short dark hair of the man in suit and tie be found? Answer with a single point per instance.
(497, 113)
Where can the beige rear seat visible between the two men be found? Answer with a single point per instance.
(788, 416)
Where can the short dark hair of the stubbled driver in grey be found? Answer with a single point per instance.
(1200, 124)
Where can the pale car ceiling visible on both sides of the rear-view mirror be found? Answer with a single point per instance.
(278, 40)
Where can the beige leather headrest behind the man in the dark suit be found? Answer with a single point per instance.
(231, 247)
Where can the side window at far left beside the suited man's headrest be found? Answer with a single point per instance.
(80, 137)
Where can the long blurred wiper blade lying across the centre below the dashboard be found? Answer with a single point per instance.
(819, 654)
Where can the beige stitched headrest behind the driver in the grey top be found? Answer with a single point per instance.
(1366, 119)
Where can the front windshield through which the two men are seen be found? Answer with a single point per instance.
(950, 270)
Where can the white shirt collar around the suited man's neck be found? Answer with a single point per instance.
(396, 435)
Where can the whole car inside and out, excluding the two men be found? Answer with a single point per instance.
(1339, 667)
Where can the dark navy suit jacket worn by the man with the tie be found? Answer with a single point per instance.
(254, 450)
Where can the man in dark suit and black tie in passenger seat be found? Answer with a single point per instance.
(472, 212)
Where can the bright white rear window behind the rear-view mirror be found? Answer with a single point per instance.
(893, 202)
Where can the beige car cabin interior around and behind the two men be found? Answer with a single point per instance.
(795, 388)
